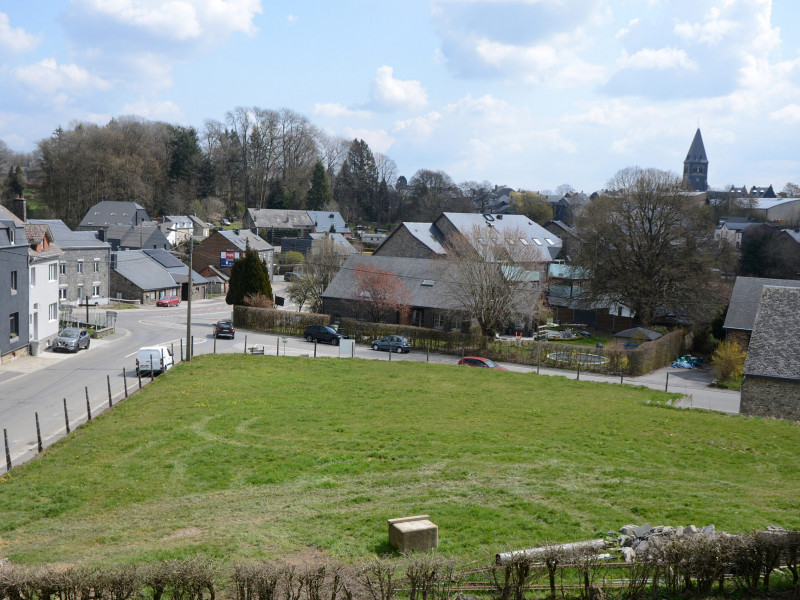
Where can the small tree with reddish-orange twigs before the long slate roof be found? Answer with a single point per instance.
(381, 292)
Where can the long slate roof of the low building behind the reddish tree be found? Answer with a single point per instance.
(411, 271)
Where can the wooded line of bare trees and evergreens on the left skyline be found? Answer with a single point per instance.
(253, 158)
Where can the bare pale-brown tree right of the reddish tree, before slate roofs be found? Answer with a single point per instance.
(494, 277)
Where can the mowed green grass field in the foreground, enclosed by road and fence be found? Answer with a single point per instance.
(237, 457)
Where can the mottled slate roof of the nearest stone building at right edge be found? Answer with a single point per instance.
(773, 345)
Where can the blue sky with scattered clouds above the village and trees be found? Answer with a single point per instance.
(526, 93)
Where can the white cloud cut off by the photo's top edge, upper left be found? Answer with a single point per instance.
(178, 19)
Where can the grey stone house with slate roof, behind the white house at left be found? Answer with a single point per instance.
(84, 267)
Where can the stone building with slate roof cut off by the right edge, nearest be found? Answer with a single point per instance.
(771, 385)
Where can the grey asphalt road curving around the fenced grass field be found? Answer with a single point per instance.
(41, 384)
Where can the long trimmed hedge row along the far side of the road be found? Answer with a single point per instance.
(616, 360)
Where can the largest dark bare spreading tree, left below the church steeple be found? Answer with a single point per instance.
(645, 245)
